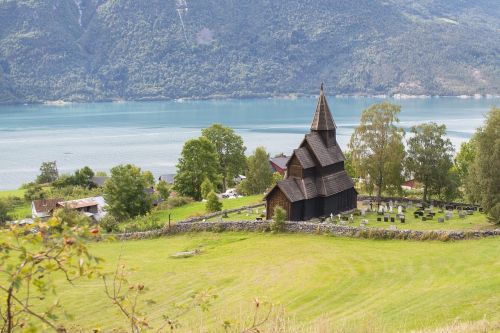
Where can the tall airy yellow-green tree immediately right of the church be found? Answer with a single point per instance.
(377, 147)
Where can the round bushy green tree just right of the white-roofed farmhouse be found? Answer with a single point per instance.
(125, 193)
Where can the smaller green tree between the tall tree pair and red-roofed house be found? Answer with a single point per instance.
(259, 174)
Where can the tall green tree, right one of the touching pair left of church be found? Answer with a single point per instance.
(230, 151)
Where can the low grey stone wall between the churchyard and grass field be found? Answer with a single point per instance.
(311, 228)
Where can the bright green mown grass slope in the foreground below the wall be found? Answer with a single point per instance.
(359, 284)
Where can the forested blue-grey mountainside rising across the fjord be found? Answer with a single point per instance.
(98, 50)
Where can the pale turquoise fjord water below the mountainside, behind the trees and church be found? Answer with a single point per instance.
(151, 134)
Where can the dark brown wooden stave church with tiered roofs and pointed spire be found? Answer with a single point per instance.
(316, 183)
